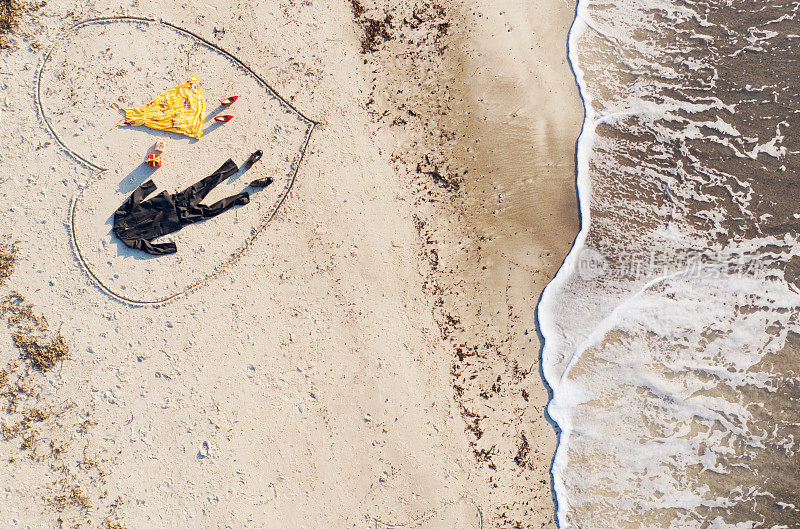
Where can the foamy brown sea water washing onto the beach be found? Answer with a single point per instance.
(672, 331)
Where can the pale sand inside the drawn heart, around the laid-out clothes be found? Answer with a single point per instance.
(127, 61)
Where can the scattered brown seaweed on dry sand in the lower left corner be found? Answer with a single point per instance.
(43, 429)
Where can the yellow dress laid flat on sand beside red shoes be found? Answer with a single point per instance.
(180, 109)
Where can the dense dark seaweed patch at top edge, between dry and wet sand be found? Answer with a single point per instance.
(410, 41)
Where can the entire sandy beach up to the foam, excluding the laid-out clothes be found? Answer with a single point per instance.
(371, 358)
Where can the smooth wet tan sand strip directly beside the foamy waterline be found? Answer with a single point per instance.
(519, 206)
